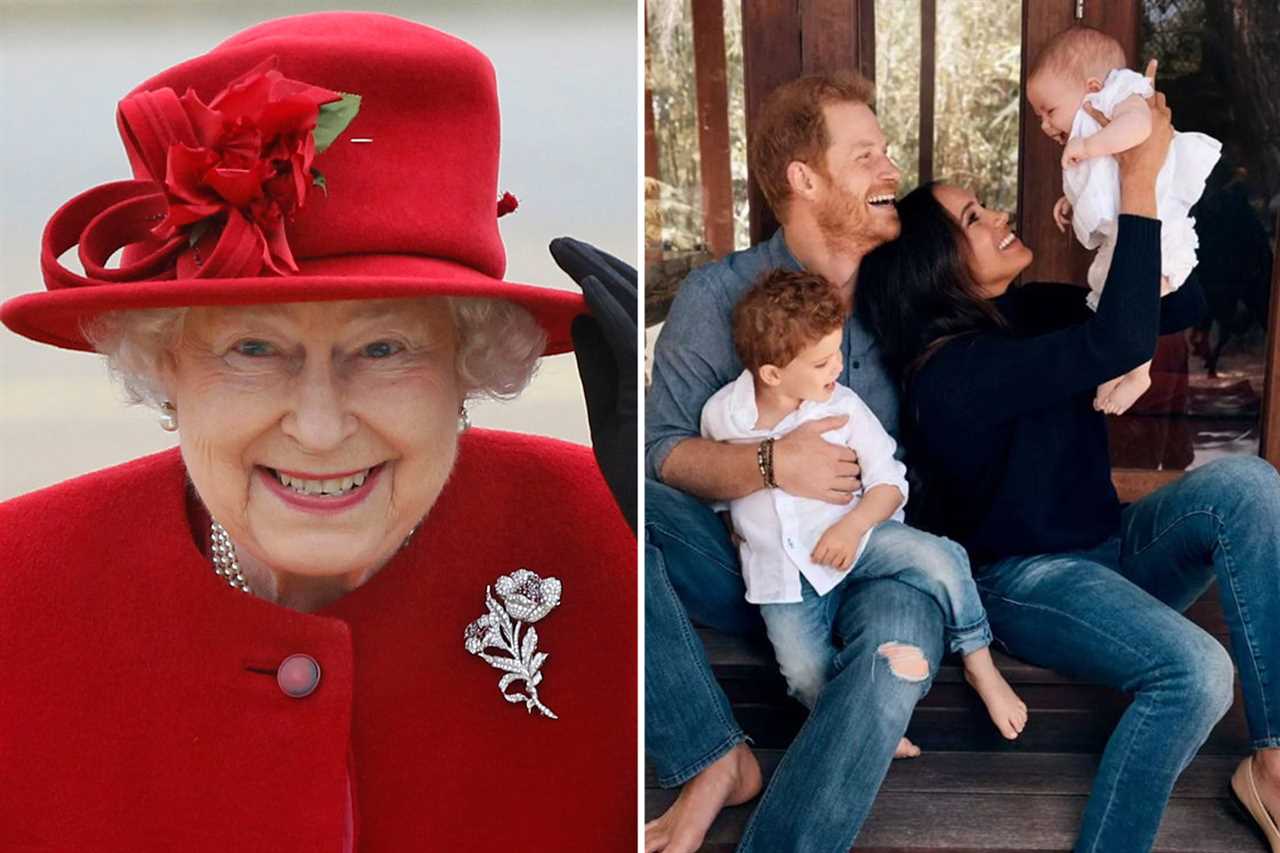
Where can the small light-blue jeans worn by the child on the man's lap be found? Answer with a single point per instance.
(802, 632)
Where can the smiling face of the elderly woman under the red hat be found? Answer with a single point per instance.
(318, 434)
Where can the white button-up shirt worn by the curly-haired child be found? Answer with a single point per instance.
(780, 531)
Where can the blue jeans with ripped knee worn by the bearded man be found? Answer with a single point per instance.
(826, 783)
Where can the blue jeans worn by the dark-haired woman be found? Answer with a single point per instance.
(1112, 615)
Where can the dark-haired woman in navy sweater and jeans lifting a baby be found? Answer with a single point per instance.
(999, 390)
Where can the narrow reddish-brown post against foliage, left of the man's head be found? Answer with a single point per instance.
(712, 86)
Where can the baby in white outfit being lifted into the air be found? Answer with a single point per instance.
(1085, 66)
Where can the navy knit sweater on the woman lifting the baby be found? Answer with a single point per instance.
(1002, 425)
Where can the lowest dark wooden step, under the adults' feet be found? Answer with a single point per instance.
(982, 801)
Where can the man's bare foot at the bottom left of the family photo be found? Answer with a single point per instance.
(732, 781)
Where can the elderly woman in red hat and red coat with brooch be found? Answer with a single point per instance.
(335, 619)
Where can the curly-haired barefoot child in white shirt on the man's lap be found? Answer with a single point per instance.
(797, 553)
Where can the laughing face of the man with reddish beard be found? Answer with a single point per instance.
(854, 190)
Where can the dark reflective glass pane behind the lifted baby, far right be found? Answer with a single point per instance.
(1208, 384)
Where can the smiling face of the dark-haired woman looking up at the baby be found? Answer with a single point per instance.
(993, 253)
